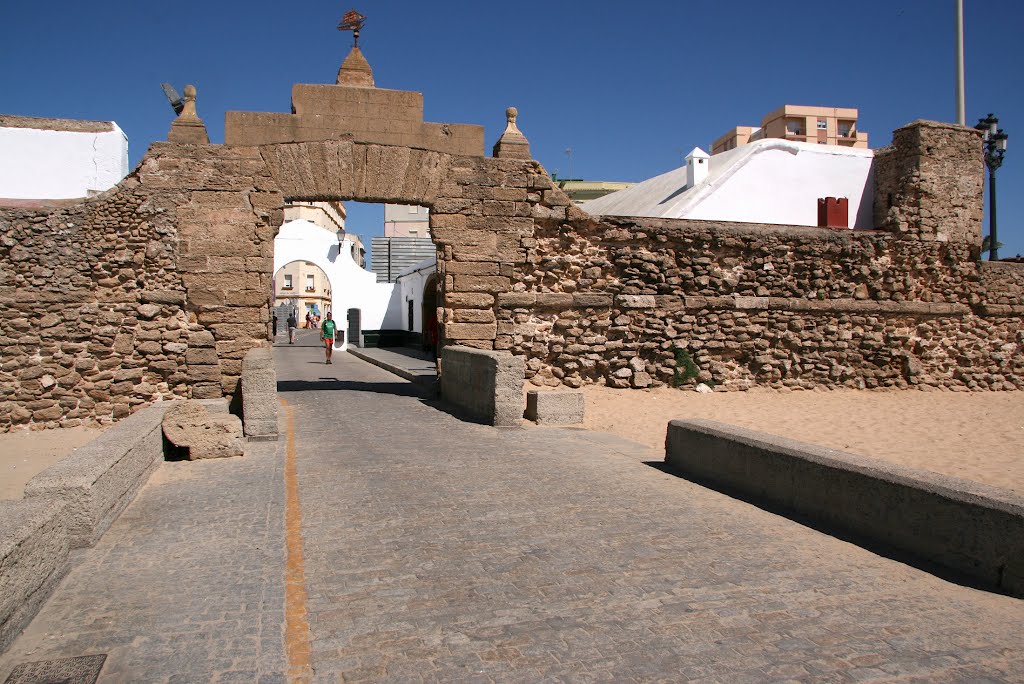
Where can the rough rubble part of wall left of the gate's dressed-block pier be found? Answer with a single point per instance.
(92, 318)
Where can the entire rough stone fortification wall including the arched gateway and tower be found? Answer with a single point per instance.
(160, 287)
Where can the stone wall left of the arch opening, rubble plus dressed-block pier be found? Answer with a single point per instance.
(154, 290)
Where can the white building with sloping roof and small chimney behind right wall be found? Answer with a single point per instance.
(765, 182)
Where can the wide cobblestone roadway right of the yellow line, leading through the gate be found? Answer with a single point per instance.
(443, 551)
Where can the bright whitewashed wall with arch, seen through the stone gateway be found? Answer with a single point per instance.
(352, 287)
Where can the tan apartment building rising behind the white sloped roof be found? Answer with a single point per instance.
(822, 125)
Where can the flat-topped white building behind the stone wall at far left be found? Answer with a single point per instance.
(60, 159)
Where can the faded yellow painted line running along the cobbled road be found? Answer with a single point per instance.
(297, 638)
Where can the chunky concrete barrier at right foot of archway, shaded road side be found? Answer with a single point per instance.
(485, 386)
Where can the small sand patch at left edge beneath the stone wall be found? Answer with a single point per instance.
(26, 453)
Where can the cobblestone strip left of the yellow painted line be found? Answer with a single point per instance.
(187, 586)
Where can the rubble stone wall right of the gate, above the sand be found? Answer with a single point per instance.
(648, 303)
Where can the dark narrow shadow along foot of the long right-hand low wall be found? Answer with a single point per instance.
(850, 537)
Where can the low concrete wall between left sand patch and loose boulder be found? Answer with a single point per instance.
(105, 475)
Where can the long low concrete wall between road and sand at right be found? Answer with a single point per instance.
(966, 527)
